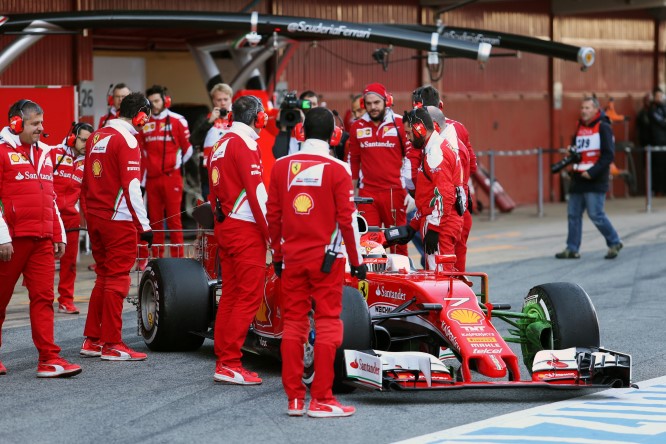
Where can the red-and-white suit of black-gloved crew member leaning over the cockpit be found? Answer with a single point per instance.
(438, 177)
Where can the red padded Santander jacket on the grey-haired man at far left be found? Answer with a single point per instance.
(27, 199)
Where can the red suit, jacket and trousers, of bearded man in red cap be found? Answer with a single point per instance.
(377, 156)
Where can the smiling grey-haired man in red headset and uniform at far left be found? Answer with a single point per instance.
(31, 231)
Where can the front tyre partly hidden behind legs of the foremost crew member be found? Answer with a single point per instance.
(356, 335)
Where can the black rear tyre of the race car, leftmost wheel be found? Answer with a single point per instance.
(173, 303)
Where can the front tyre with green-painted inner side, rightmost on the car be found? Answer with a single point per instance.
(568, 310)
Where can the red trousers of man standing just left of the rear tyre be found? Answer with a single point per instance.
(114, 250)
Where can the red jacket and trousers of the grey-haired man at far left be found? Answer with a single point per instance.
(31, 222)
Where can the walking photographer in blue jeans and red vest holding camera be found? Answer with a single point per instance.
(591, 157)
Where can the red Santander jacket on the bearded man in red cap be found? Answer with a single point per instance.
(382, 149)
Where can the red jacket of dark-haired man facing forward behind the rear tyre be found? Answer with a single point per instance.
(165, 141)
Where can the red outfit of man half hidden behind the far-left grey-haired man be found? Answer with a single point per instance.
(67, 178)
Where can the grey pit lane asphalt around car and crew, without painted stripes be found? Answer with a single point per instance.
(171, 396)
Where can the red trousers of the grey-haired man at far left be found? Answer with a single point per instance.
(34, 258)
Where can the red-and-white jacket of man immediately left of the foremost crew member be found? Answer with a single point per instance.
(235, 176)
